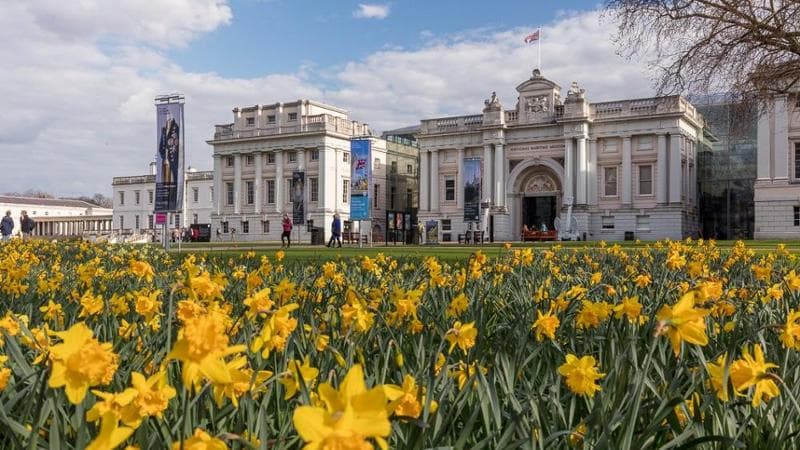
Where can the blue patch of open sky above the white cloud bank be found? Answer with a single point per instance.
(268, 36)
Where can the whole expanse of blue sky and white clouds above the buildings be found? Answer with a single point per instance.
(78, 78)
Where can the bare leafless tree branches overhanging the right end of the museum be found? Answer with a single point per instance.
(741, 47)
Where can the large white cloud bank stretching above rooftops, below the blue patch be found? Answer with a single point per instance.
(76, 113)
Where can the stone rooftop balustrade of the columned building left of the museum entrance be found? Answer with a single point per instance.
(316, 123)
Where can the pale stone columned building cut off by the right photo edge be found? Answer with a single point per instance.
(777, 186)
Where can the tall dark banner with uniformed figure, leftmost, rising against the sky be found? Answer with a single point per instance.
(169, 157)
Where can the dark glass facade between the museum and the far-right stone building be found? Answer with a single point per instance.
(727, 171)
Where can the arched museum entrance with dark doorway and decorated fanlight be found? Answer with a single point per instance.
(535, 188)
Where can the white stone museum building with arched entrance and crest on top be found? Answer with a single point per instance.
(625, 166)
